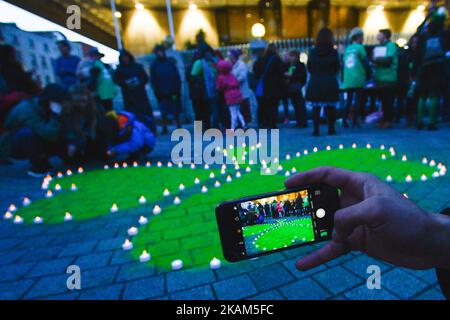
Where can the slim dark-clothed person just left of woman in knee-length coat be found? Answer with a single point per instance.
(296, 79)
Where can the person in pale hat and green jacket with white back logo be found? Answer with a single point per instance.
(356, 73)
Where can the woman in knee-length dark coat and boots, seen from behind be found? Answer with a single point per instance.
(323, 87)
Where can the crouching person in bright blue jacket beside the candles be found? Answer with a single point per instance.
(133, 139)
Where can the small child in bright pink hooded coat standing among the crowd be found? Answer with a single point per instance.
(228, 84)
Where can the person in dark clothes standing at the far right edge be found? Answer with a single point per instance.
(429, 65)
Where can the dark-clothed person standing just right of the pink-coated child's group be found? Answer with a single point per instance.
(269, 74)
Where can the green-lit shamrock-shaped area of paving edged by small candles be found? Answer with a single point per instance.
(188, 231)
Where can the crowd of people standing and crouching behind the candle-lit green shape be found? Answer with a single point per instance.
(76, 118)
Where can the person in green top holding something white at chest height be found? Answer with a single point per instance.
(386, 62)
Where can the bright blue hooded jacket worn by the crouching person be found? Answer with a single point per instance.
(135, 134)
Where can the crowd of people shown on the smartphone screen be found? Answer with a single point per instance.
(258, 212)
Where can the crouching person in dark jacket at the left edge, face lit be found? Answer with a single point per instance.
(32, 130)
